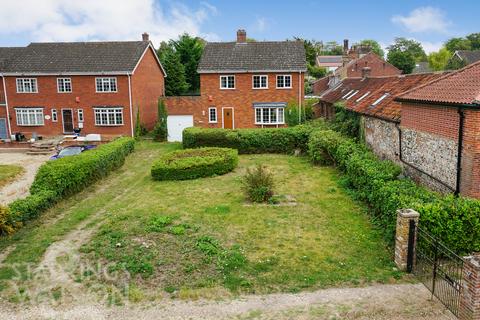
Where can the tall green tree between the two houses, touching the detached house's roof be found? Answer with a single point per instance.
(189, 49)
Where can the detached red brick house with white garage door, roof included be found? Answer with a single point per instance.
(242, 85)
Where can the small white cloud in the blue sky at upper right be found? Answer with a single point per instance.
(424, 19)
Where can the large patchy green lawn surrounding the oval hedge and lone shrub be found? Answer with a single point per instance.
(200, 238)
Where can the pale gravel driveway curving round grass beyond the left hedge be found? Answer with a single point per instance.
(19, 188)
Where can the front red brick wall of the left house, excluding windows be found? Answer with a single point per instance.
(83, 96)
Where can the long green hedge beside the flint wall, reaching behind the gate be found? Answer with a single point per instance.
(456, 221)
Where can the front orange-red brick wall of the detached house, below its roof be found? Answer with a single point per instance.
(241, 98)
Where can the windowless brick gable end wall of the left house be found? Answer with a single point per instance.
(147, 87)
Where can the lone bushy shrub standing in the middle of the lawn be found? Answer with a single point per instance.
(258, 184)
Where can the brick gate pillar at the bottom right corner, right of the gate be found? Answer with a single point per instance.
(470, 294)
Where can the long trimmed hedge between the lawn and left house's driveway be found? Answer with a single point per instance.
(60, 178)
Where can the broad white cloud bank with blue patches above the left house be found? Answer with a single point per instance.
(72, 20)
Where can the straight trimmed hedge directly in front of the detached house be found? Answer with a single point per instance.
(280, 140)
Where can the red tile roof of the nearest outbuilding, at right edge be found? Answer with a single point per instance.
(459, 87)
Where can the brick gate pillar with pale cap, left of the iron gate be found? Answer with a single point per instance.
(401, 238)
